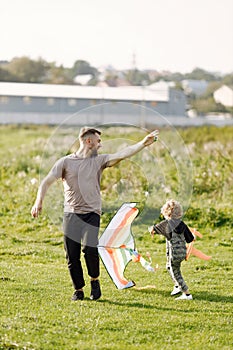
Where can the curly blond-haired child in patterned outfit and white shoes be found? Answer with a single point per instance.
(177, 235)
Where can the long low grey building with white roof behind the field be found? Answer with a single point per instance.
(74, 104)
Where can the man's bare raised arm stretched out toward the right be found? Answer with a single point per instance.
(131, 150)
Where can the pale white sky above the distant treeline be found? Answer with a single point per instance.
(173, 35)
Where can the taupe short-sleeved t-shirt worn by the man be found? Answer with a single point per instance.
(81, 182)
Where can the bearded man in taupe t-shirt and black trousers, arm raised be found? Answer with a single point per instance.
(81, 173)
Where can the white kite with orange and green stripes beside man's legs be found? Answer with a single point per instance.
(117, 247)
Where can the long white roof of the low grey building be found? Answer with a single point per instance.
(124, 93)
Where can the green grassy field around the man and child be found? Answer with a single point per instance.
(193, 165)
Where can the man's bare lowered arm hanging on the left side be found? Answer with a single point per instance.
(45, 184)
